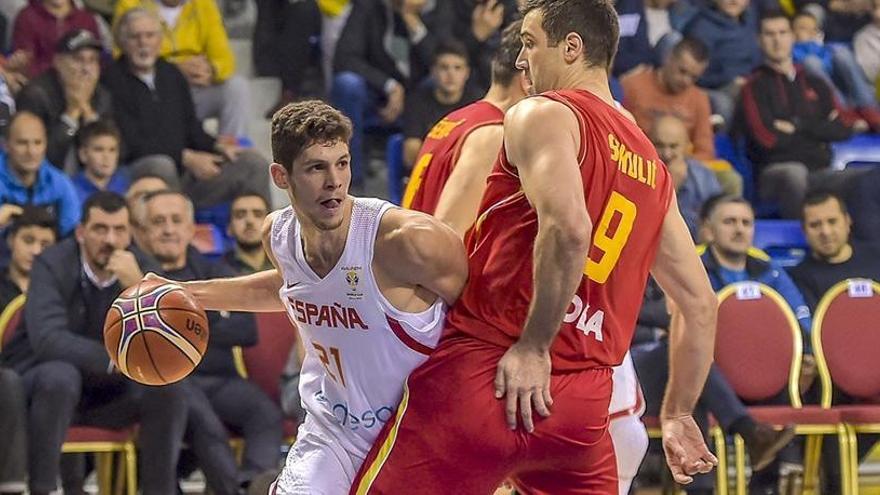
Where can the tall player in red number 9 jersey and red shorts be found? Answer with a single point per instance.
(577, 211)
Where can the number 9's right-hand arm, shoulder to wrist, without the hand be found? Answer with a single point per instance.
(681, 275)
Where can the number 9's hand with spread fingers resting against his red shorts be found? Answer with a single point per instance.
(523, 378)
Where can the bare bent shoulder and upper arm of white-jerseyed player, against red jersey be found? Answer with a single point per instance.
(417, 250)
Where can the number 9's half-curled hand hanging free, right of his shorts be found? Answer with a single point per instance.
(685, 449)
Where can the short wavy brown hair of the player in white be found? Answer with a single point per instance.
(302, 124)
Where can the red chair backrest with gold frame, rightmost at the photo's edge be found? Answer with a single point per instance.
(846, 338)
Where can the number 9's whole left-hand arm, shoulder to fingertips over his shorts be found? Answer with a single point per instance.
(542, 139)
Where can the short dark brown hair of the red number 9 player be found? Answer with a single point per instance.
(595, 21)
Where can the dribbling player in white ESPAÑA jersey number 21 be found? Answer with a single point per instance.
(366, 284)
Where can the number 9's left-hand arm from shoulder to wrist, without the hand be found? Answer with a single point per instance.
(543, 140)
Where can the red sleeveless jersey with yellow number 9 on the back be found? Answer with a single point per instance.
(627, 191)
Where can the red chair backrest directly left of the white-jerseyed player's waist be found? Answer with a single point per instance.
(265, 361)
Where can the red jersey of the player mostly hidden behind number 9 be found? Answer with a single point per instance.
(440, 152)
